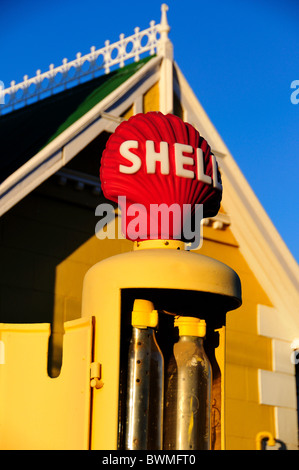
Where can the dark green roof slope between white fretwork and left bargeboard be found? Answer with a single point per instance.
(40, 123)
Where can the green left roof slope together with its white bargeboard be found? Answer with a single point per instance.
(97, 110)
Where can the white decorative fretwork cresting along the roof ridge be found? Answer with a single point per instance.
(85, 67)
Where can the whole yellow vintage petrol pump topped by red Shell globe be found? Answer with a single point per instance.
(160, 311)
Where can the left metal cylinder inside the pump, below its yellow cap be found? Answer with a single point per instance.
(145, 390)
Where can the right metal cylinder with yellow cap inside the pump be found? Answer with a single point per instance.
(188, 395)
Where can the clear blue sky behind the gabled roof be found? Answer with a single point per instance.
(239, 57)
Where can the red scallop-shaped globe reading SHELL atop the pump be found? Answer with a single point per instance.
(155, 159)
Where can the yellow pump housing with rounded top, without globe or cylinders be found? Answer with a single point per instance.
(174, 280)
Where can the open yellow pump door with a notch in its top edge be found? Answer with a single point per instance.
(36, 411)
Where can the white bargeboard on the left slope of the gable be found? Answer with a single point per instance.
(62, 149)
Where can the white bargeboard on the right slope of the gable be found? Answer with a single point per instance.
(259, 241)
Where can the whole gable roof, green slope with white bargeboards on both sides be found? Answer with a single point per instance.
(98, 108)
